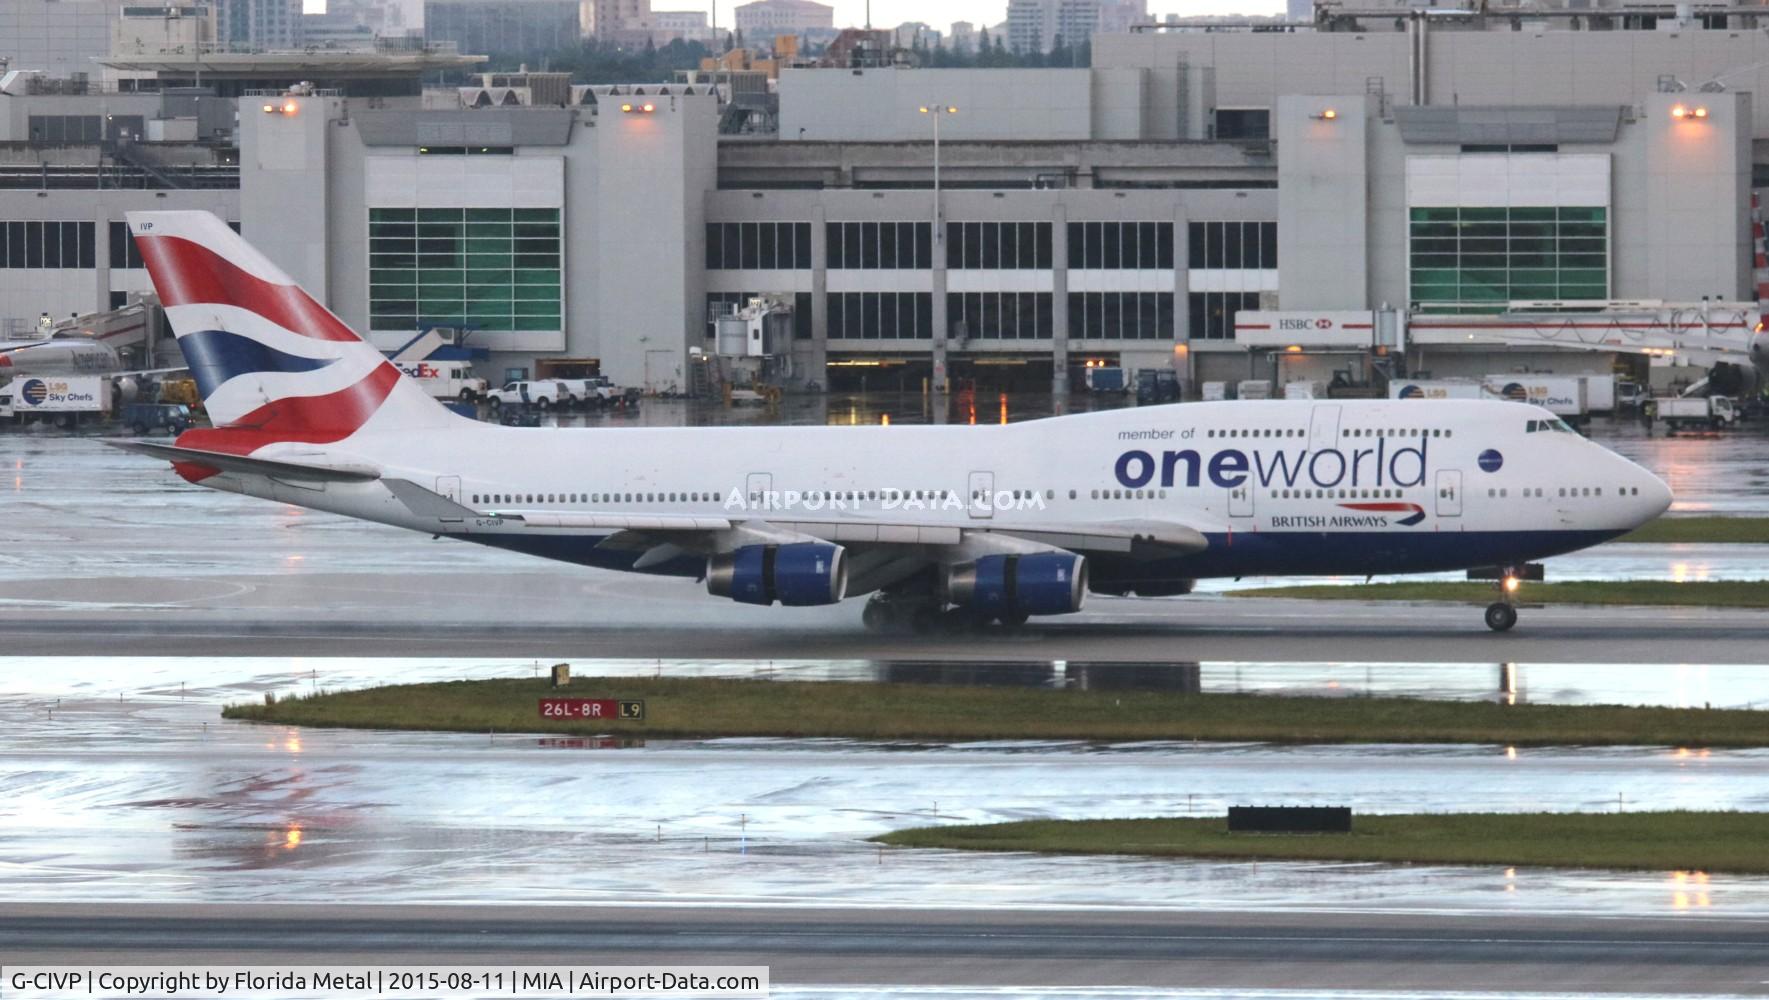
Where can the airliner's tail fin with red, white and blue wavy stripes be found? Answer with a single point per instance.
(273, 364)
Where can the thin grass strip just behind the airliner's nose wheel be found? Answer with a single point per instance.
(1664, 594)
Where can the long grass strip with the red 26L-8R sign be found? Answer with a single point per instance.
(714, 707)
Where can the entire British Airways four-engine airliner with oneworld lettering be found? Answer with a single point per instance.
(937, 523)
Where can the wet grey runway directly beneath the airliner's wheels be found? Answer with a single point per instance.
(601, 617)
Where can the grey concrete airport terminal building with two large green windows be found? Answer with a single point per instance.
(1121, 215)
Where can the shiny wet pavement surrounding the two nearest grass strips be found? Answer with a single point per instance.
(119, 781)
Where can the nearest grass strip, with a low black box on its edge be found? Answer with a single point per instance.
(1666, 842)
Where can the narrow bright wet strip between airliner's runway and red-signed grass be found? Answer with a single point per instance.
(247, 679)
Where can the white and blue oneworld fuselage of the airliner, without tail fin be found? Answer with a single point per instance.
(1280, 488)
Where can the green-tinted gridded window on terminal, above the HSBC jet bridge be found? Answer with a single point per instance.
(1478, 259)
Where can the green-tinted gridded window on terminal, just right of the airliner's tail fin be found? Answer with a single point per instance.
(494, 270)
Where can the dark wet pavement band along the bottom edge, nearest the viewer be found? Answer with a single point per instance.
(1520, 955)
